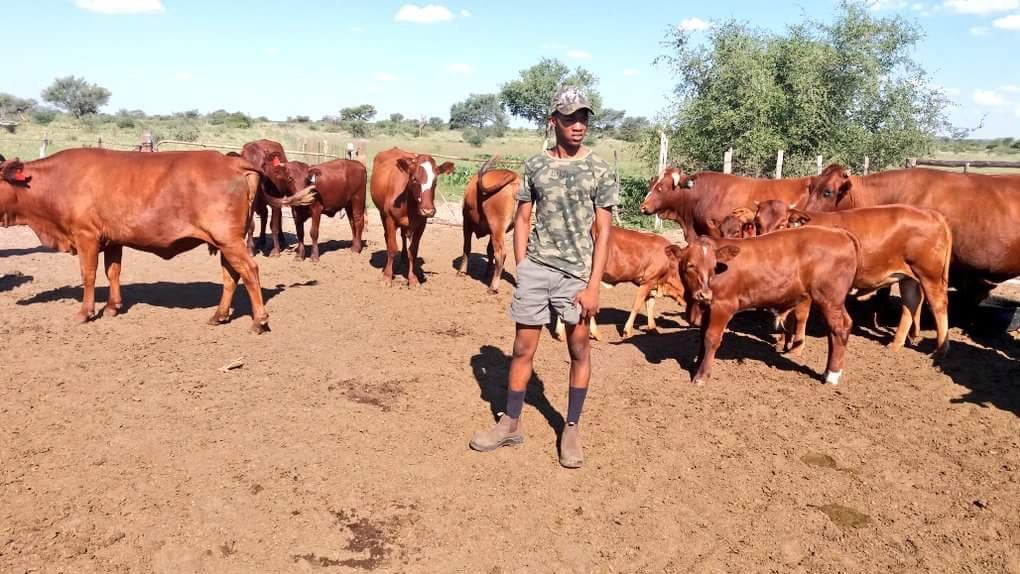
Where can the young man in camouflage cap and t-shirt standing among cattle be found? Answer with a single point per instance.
(559, 266)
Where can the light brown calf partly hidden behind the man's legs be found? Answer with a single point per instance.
(638, 258)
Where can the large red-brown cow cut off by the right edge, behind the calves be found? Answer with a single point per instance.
(982, 212)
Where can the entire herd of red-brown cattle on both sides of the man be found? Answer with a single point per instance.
(784, 245)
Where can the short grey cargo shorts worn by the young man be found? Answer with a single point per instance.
(540, 288)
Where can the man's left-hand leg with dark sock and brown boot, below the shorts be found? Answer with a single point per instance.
(507, 432)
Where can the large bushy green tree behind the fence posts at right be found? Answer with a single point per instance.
(844, 91)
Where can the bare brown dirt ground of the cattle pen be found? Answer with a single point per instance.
(340, 443)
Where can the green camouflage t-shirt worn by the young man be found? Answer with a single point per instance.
(566, 193)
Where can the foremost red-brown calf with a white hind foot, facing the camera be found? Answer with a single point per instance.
(785, 271)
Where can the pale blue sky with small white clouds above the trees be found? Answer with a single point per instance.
(314, 58)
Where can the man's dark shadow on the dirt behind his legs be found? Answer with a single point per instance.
(492, 370)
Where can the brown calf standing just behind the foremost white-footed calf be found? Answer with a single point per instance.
(899, 244)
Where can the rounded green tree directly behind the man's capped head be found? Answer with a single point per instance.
(529, 97)
